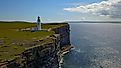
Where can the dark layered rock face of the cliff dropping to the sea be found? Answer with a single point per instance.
(46, 55)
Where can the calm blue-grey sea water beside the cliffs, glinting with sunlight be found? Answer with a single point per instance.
(96, 46)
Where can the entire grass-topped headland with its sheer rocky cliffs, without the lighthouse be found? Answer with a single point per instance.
(23, 48)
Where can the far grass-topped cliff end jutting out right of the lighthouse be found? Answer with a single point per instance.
(63, 29)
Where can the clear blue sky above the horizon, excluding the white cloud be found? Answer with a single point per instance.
(49, 10)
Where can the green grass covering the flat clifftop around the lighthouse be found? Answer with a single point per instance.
(9, 35)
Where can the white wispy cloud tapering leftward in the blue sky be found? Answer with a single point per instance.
(110, 8)
